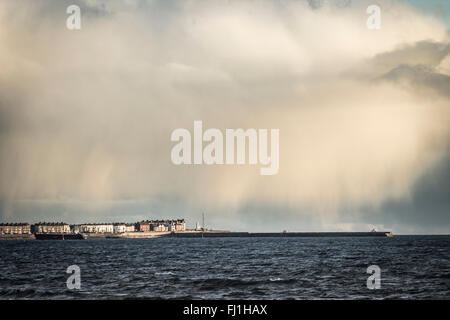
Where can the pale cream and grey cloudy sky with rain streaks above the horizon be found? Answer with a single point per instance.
(86, 115)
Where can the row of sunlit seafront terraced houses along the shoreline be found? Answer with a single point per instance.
(61, 227)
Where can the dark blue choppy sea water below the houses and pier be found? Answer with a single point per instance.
(412, 267)
